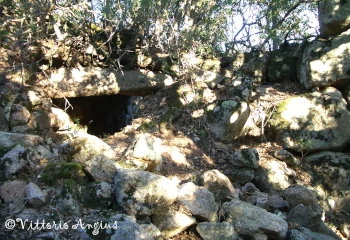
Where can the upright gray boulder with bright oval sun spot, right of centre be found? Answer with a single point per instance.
(226, 119)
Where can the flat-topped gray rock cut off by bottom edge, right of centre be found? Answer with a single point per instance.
(216, 231)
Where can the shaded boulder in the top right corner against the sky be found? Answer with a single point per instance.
(333, 17)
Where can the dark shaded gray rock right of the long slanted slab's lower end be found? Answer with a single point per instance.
(306, 216)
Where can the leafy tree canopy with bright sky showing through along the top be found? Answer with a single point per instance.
(204, 27)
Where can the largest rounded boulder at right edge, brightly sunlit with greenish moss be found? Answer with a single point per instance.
(312, 122)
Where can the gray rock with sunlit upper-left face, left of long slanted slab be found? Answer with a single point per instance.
(199, 201)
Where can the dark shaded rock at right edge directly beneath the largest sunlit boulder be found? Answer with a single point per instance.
(331, 170)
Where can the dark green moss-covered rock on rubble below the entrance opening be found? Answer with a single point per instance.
(56, 171)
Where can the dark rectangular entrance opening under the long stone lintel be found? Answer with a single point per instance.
(103, 115)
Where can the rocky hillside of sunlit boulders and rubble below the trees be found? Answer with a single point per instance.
(250, 147)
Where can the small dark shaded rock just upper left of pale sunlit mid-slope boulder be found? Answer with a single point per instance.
(246, 158)
